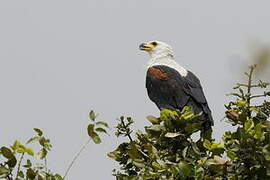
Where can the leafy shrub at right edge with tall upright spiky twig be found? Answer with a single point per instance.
(249, 146)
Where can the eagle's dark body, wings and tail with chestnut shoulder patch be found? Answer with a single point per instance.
(168, 89)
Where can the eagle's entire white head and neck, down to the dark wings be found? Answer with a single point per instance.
(162, 54)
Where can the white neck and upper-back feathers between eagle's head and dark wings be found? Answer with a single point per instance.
(168, 62)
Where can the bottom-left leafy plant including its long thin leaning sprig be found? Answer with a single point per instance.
(34, 167)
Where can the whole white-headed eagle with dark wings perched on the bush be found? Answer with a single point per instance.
(171, 86)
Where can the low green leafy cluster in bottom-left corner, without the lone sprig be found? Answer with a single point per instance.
(26, 169)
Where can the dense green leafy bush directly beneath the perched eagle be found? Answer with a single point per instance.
(166, 150)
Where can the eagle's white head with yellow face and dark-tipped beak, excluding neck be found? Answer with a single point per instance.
(157, 49)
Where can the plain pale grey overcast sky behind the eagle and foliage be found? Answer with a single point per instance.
(61, 58)
